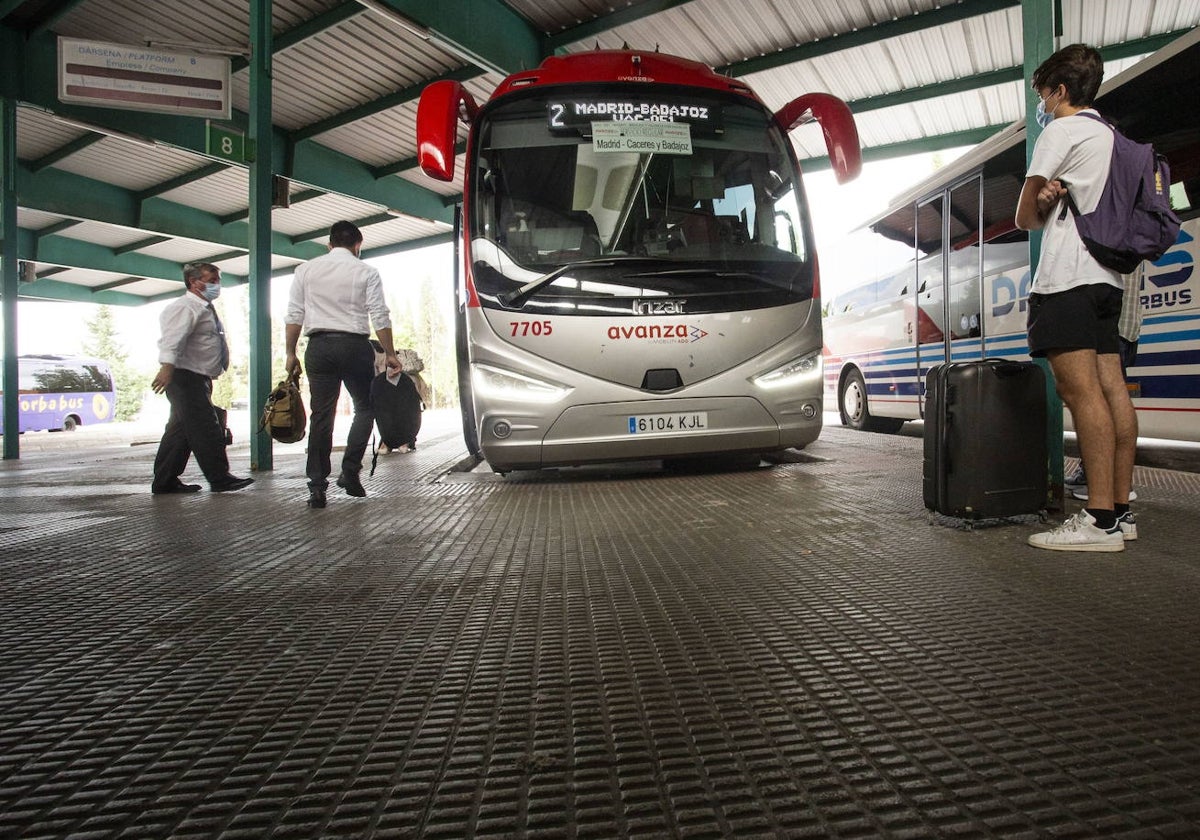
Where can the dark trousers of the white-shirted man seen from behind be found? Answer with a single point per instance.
(332, 361)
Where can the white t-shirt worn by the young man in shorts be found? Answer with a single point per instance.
(1076, 151)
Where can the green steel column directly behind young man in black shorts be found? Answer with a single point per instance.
(1040, 27)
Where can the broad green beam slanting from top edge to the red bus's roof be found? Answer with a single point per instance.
(485, 33)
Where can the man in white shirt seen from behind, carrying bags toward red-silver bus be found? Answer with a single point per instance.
(335, 301)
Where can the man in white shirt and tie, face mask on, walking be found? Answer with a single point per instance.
(193, 352)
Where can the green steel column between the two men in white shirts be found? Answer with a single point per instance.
(261, 173)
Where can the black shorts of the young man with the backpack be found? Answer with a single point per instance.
(1082, 319)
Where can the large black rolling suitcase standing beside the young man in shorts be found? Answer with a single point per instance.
(986, 440)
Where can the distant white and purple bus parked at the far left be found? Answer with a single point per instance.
(61, 393)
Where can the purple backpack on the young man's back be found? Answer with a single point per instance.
(1135, 220)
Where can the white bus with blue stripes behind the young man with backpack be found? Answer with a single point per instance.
(959, 287)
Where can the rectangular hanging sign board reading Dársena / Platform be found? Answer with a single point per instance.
(143, 79)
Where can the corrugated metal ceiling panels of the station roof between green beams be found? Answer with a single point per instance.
(349, 74)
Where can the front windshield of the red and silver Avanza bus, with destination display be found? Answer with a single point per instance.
(573, 208)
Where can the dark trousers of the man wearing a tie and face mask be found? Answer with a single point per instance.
(193, 428)
